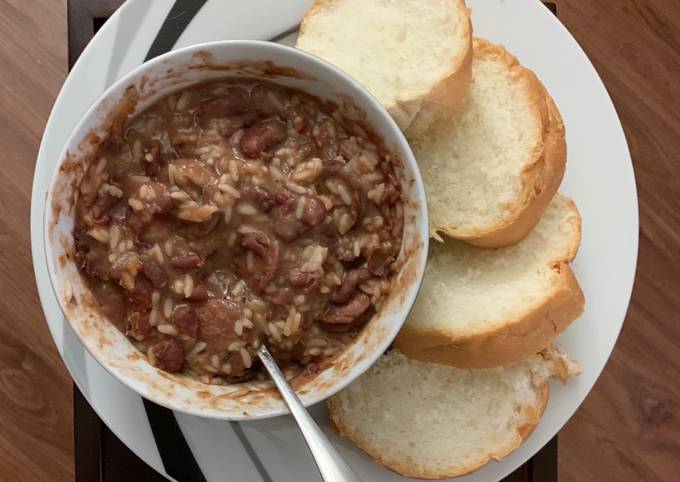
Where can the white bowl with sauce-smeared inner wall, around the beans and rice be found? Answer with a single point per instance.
(138, 90)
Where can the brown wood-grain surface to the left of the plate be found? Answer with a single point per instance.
(36, 421)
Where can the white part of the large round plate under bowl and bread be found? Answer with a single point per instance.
(599, 178)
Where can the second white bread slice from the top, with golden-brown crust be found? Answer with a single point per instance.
(491, 169)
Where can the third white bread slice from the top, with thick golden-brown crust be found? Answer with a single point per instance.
(482, 308)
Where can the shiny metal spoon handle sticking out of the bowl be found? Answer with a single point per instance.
(331, 465)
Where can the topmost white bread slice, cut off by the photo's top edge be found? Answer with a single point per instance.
(414, 56)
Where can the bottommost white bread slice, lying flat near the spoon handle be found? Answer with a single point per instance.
(433, 422)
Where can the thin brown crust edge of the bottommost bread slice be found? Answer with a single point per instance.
(407, 467)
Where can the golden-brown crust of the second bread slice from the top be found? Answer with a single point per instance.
(543, 171)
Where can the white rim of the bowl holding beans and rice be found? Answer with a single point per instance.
(407, 158)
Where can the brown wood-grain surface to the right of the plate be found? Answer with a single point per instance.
(629, 426)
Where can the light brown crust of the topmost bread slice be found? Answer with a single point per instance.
(415, 115)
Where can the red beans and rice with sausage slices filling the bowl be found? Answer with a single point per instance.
(236, 213)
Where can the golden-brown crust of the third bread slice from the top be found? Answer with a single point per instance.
(511, 341)
